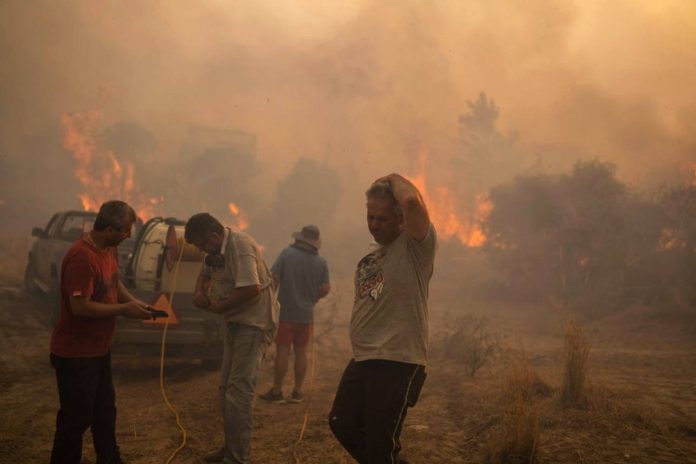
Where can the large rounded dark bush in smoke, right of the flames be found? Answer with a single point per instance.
(572, 237)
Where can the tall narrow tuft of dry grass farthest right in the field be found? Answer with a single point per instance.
(573, 390)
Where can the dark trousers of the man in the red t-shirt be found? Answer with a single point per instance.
(87, 399)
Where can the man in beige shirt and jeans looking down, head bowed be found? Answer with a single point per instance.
(236, 283)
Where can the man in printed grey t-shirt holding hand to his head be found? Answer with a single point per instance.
(388, 326)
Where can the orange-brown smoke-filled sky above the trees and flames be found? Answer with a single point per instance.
(364, 86)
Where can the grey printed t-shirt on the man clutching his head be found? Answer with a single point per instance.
(390, 310)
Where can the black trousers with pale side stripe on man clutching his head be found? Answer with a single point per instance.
(370, 408)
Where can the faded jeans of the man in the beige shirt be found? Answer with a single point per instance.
(244, 350)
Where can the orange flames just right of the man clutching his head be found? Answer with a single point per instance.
(442, 207)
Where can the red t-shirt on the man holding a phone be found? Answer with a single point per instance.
(86, 271)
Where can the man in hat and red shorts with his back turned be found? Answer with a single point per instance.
(302, 278)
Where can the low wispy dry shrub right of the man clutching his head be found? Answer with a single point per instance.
(468, 341)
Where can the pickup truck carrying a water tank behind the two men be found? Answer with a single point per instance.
(157, 266)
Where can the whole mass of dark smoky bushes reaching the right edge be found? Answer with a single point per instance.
(586, 241)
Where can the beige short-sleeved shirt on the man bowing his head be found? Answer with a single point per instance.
(245, 266)
